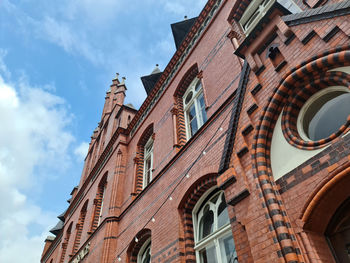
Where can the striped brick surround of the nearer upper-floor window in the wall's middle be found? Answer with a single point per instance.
(179, 92)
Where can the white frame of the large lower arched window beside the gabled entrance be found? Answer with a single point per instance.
(218, 233)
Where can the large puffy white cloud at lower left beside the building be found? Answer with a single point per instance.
(34, 144)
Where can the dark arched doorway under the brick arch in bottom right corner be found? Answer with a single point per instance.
(338, 233)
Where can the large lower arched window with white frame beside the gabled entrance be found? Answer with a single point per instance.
(213, 236)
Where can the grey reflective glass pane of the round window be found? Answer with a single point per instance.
(330, 117)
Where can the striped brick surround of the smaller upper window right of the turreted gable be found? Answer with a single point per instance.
(148, 132)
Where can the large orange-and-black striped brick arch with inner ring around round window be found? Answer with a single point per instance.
(299, 84)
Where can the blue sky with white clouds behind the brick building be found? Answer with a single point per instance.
(57, 60)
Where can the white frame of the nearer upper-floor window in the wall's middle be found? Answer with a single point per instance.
(193, 101)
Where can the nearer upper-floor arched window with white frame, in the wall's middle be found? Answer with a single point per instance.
(194, 108)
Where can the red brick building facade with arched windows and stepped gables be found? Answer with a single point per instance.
(240, 152)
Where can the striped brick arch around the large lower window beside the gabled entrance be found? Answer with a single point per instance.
(186, 206)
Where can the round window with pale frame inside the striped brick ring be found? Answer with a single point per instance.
(324, 113)
